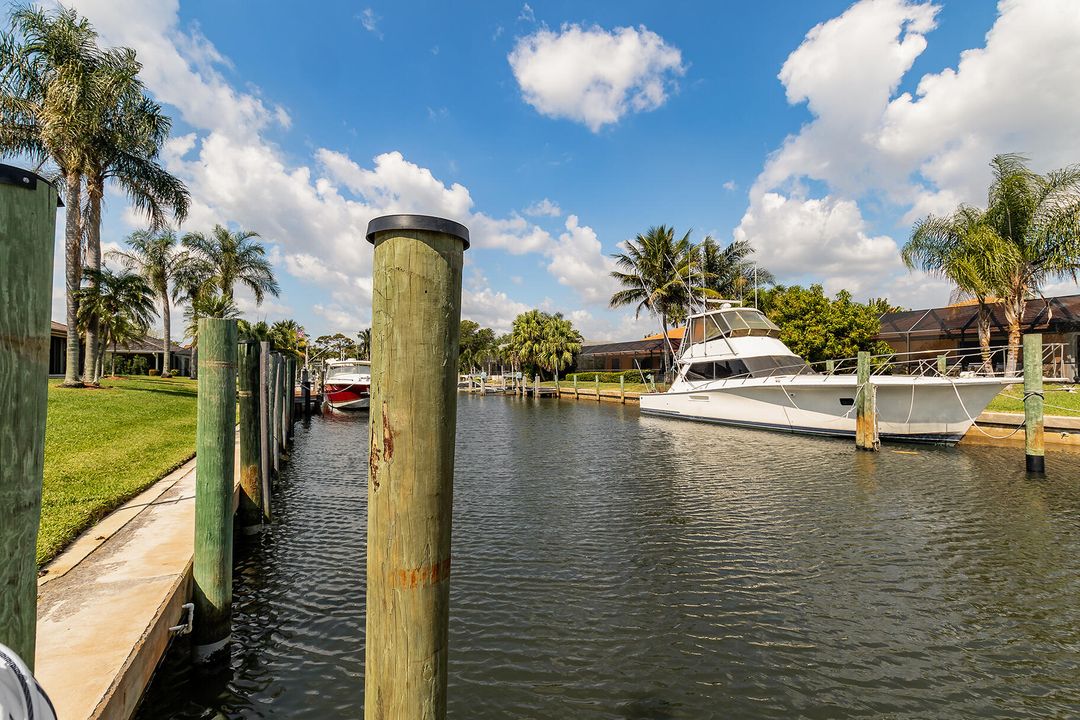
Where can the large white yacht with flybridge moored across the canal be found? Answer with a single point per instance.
(734, 370)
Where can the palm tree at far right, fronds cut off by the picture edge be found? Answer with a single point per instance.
(1038, 216)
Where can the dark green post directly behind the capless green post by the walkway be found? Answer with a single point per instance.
(250, 511)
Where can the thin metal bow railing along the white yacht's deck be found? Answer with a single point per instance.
(957, 363)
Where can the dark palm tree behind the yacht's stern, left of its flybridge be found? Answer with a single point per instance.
(657, 273)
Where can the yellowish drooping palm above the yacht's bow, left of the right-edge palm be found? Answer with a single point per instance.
(968, 252)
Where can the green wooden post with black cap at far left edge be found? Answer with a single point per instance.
(28, 229)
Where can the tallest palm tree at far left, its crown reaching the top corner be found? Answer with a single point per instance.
(55, 84)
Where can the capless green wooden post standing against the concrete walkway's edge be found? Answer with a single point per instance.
(215, 467)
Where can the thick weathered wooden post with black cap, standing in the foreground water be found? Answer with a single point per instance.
(415, 321)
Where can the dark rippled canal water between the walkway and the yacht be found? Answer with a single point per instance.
(614, 566)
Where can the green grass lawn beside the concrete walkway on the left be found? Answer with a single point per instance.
(105, 446)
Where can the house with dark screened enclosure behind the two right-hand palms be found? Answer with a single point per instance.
(956, 328)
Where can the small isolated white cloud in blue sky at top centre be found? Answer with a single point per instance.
(595, 76)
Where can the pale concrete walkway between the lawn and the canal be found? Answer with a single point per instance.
(106, 604)
